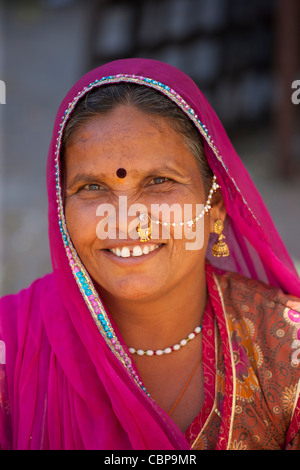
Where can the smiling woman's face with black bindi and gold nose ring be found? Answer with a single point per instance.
(159, 170)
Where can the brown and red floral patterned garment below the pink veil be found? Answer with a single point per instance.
(257, 337)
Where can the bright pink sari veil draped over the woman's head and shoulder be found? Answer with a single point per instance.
(71, 382)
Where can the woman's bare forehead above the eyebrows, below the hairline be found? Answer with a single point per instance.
(128, 136)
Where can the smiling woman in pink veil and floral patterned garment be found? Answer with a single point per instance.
(171, 320)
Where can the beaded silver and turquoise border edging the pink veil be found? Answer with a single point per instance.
(81, 276)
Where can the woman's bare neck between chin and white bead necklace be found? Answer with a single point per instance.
(158, 322)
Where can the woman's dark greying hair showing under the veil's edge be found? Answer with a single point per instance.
(106, 98)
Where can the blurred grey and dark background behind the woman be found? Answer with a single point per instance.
(243, 55)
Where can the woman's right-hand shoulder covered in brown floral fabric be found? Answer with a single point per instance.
(266, 315)
